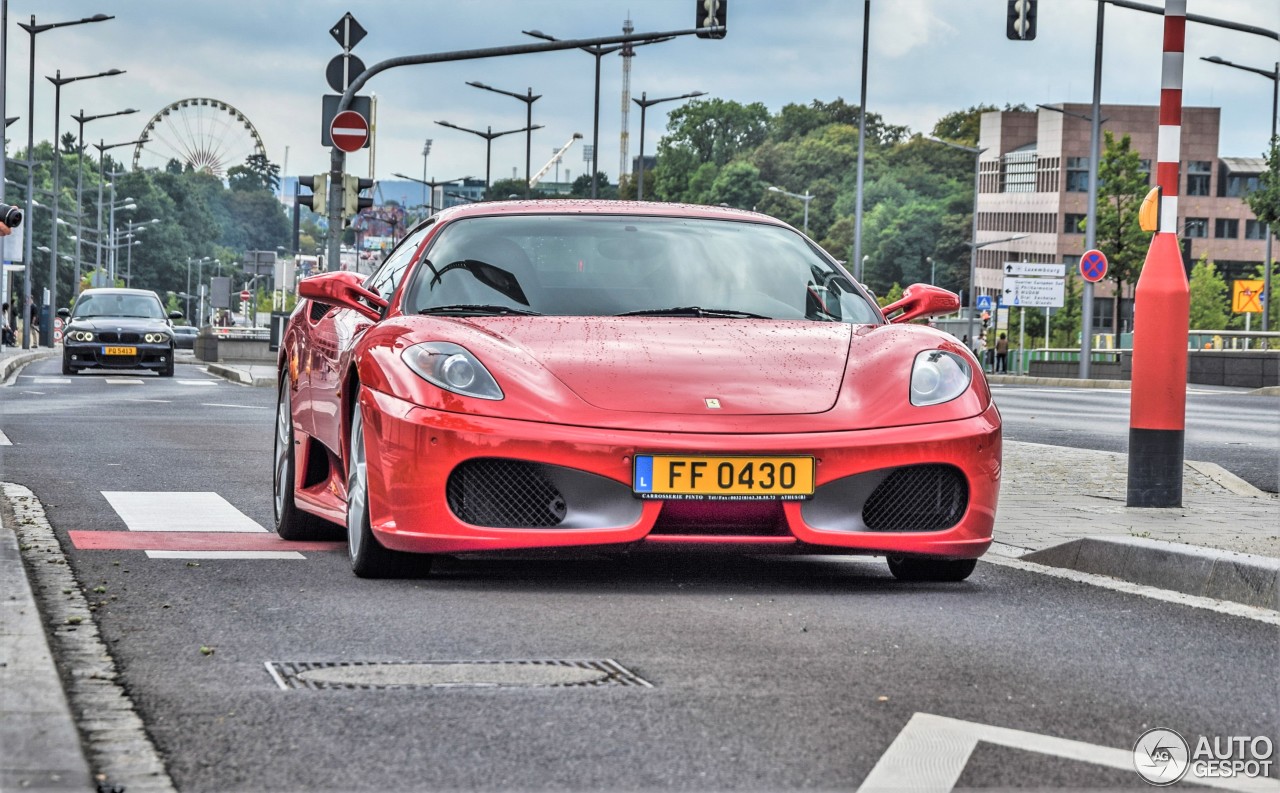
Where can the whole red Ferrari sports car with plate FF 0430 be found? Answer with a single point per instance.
(616, 375)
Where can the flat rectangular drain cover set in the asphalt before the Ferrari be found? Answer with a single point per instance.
(550, 673)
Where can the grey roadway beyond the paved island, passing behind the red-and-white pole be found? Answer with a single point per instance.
(1224, 427)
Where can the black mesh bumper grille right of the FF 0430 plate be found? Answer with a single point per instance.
(918, 498)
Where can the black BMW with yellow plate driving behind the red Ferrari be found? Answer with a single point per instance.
(118, 329)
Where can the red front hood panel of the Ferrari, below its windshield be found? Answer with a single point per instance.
(646, 365)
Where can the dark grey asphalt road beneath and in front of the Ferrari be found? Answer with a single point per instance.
(766, 673)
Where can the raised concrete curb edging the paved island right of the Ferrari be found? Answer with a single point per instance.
(1244, 579)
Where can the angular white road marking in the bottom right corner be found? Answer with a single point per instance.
(931, 754)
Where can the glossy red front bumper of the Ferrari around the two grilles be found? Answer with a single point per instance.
(414, 451)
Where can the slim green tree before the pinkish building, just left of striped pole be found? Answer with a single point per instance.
(1122, 187)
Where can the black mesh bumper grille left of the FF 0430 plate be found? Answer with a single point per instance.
(505, 494)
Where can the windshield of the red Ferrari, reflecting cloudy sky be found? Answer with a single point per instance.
(575, 265)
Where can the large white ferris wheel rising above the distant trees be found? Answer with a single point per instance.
(204, 134)
